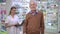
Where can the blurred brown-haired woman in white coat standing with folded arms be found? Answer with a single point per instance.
(12, 22)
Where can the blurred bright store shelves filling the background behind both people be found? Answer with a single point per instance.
(50, 10)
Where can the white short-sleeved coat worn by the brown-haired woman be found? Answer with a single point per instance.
(11, 21)
